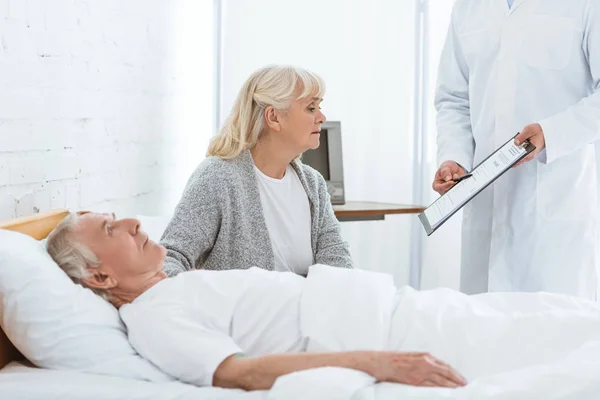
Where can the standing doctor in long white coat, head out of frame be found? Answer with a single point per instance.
(532, 66)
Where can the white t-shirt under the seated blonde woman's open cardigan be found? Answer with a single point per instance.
(287, 214)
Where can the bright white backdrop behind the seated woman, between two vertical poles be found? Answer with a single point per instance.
(364, 51)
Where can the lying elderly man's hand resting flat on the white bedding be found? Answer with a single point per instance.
(417, 369)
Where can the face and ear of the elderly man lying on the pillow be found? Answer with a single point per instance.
(128, 259)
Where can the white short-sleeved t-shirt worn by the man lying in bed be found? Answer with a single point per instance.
(187, 325)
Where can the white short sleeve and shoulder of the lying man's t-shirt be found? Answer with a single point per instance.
(180, 341)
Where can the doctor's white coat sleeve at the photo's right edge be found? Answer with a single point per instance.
(578, 126)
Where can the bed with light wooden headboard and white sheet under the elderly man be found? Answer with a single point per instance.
(20, 379)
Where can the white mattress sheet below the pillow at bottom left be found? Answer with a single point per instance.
(24, 382)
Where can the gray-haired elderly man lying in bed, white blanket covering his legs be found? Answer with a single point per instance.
(245, 328)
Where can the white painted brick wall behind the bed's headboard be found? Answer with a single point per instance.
(104, 104)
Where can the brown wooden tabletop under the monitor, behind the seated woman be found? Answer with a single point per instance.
(372, 211)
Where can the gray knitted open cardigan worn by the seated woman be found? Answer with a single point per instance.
(219, 223)
